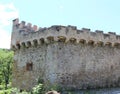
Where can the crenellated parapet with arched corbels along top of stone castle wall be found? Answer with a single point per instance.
(26, 35)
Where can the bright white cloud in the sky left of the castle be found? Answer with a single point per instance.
(7, 13)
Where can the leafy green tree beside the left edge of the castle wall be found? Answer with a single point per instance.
(6, 61)
